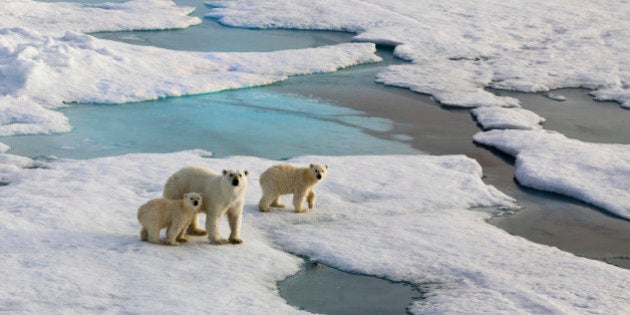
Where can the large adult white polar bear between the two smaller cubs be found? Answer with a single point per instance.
(223, 193)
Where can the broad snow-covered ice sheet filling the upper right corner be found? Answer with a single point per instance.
(457, 48)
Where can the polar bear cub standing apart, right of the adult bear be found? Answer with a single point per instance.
(286, 179)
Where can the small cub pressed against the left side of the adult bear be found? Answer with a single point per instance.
(175, 215)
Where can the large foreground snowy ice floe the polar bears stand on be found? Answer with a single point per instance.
(74, 221)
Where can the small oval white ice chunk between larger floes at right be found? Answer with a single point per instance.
(507, 118)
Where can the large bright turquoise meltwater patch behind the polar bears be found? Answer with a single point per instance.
(243, 122)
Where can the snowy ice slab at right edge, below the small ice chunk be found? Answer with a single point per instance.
(592, 172)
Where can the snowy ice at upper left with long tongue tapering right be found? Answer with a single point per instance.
(44, 69)
